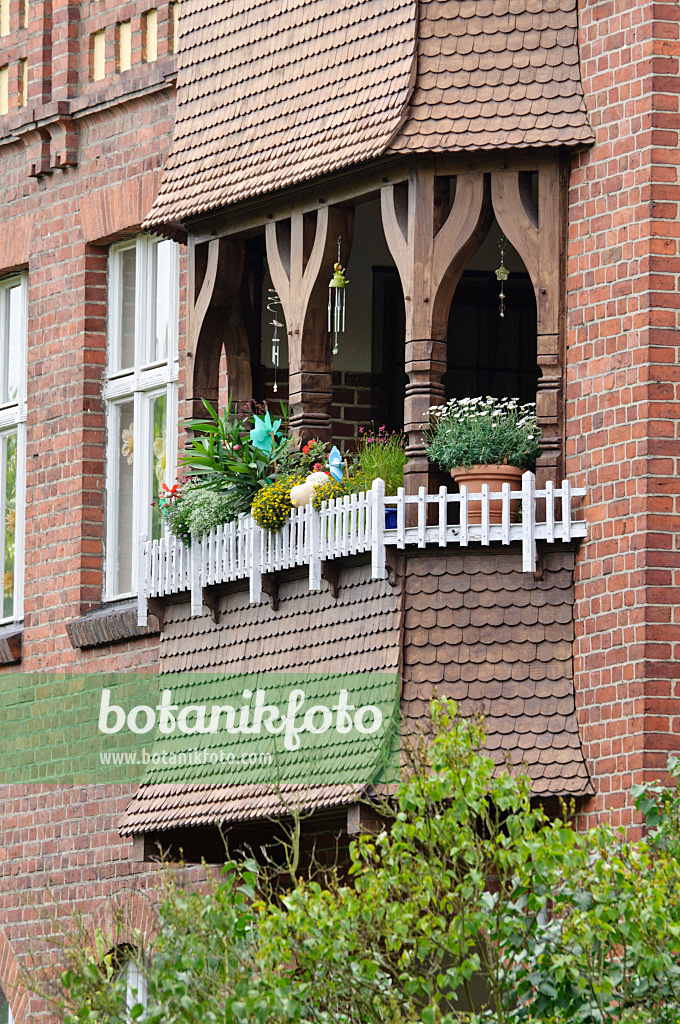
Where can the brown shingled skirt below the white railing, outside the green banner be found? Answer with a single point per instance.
(473, 627)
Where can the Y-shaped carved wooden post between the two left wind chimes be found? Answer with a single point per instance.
(302, 254)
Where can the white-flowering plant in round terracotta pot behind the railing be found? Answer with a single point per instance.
(485, 441)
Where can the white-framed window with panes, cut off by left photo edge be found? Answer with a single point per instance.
(14, 313)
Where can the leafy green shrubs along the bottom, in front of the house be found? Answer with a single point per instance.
(470, 906)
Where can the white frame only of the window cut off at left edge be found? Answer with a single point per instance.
(13, 419)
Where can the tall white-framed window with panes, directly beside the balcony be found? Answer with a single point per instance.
(142, 398)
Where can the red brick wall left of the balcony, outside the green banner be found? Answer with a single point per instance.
(102, 152)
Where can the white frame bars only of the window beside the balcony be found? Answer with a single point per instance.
(139, 383)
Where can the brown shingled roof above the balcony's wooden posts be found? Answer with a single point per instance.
(275, 93)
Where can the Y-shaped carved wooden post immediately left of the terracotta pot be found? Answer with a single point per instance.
(431, 246)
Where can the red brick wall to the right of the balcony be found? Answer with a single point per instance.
(623, 396)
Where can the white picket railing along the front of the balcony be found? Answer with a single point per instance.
(351, 526)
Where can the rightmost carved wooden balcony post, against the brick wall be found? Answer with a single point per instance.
(538, 237)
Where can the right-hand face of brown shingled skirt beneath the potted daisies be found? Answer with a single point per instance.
(500, 645)
